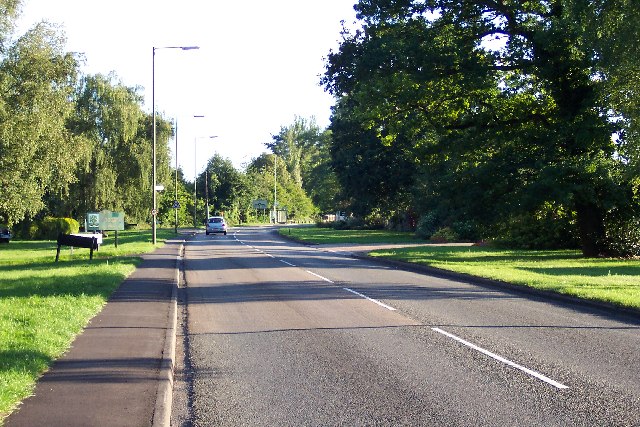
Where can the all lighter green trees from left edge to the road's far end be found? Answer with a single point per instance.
(72, 144)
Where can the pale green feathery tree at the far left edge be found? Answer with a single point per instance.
(38, 155)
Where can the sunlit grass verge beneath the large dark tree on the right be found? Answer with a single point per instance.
(614, 281)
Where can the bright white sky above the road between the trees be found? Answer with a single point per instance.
(258, 65)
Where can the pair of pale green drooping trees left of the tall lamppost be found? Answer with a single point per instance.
(69, 143)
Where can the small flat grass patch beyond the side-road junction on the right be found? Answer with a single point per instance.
(328, 235)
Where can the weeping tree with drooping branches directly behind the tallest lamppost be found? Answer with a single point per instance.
(117, 171)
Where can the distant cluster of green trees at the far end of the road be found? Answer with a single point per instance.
(297, 172)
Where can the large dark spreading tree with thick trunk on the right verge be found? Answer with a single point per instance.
(504, 103)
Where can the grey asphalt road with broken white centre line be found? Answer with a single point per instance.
(276, 333)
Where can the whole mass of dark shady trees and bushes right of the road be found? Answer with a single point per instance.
(516, 120)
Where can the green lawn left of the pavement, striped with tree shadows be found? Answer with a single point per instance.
(44, 304)
